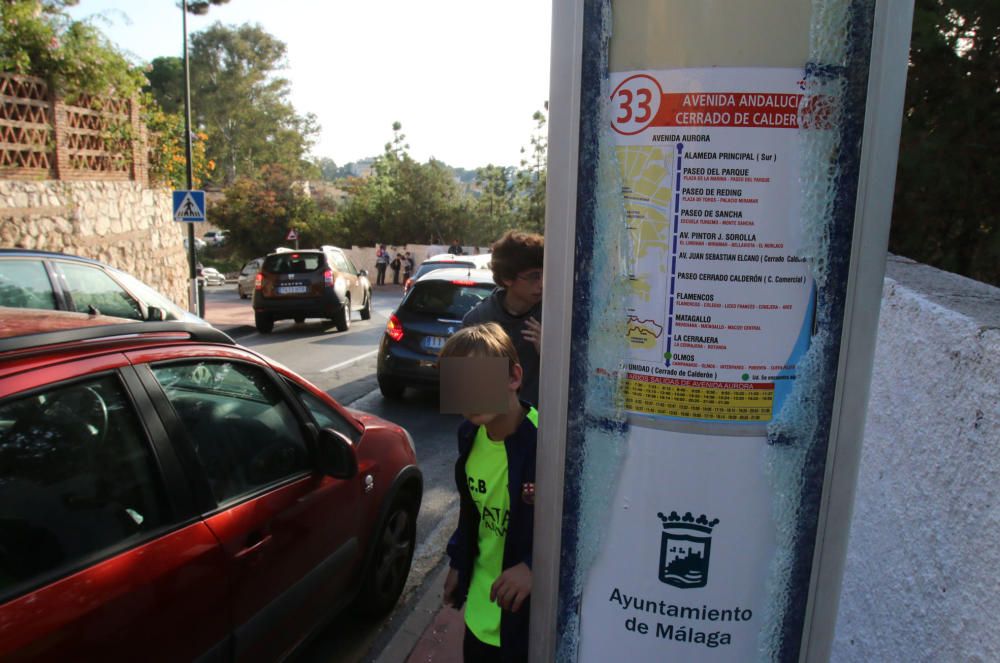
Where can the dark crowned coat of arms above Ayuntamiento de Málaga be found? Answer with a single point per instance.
(685, 549)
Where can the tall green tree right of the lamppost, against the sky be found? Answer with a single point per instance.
(238, 99)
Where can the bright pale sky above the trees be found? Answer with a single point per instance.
(462, 76)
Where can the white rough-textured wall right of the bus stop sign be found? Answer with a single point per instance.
(921, 580)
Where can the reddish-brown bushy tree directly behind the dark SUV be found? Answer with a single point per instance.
(258, 212)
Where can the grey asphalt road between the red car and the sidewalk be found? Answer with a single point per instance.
(343, 365)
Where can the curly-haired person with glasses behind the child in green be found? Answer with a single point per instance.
(517, 303)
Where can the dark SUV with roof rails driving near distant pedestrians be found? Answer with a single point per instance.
(311, 283)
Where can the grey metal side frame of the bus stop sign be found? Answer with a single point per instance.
(572, 92)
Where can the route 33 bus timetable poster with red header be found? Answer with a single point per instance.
(721, 305)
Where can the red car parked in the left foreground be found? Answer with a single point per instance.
(168, 495)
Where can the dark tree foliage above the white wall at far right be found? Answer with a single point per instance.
(946, 204)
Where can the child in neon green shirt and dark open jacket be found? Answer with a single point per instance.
(490, 551)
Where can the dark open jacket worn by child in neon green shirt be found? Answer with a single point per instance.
(463, 546)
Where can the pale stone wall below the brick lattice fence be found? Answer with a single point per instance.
(120, 223)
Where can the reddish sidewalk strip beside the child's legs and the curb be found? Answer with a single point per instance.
(431, 634)
